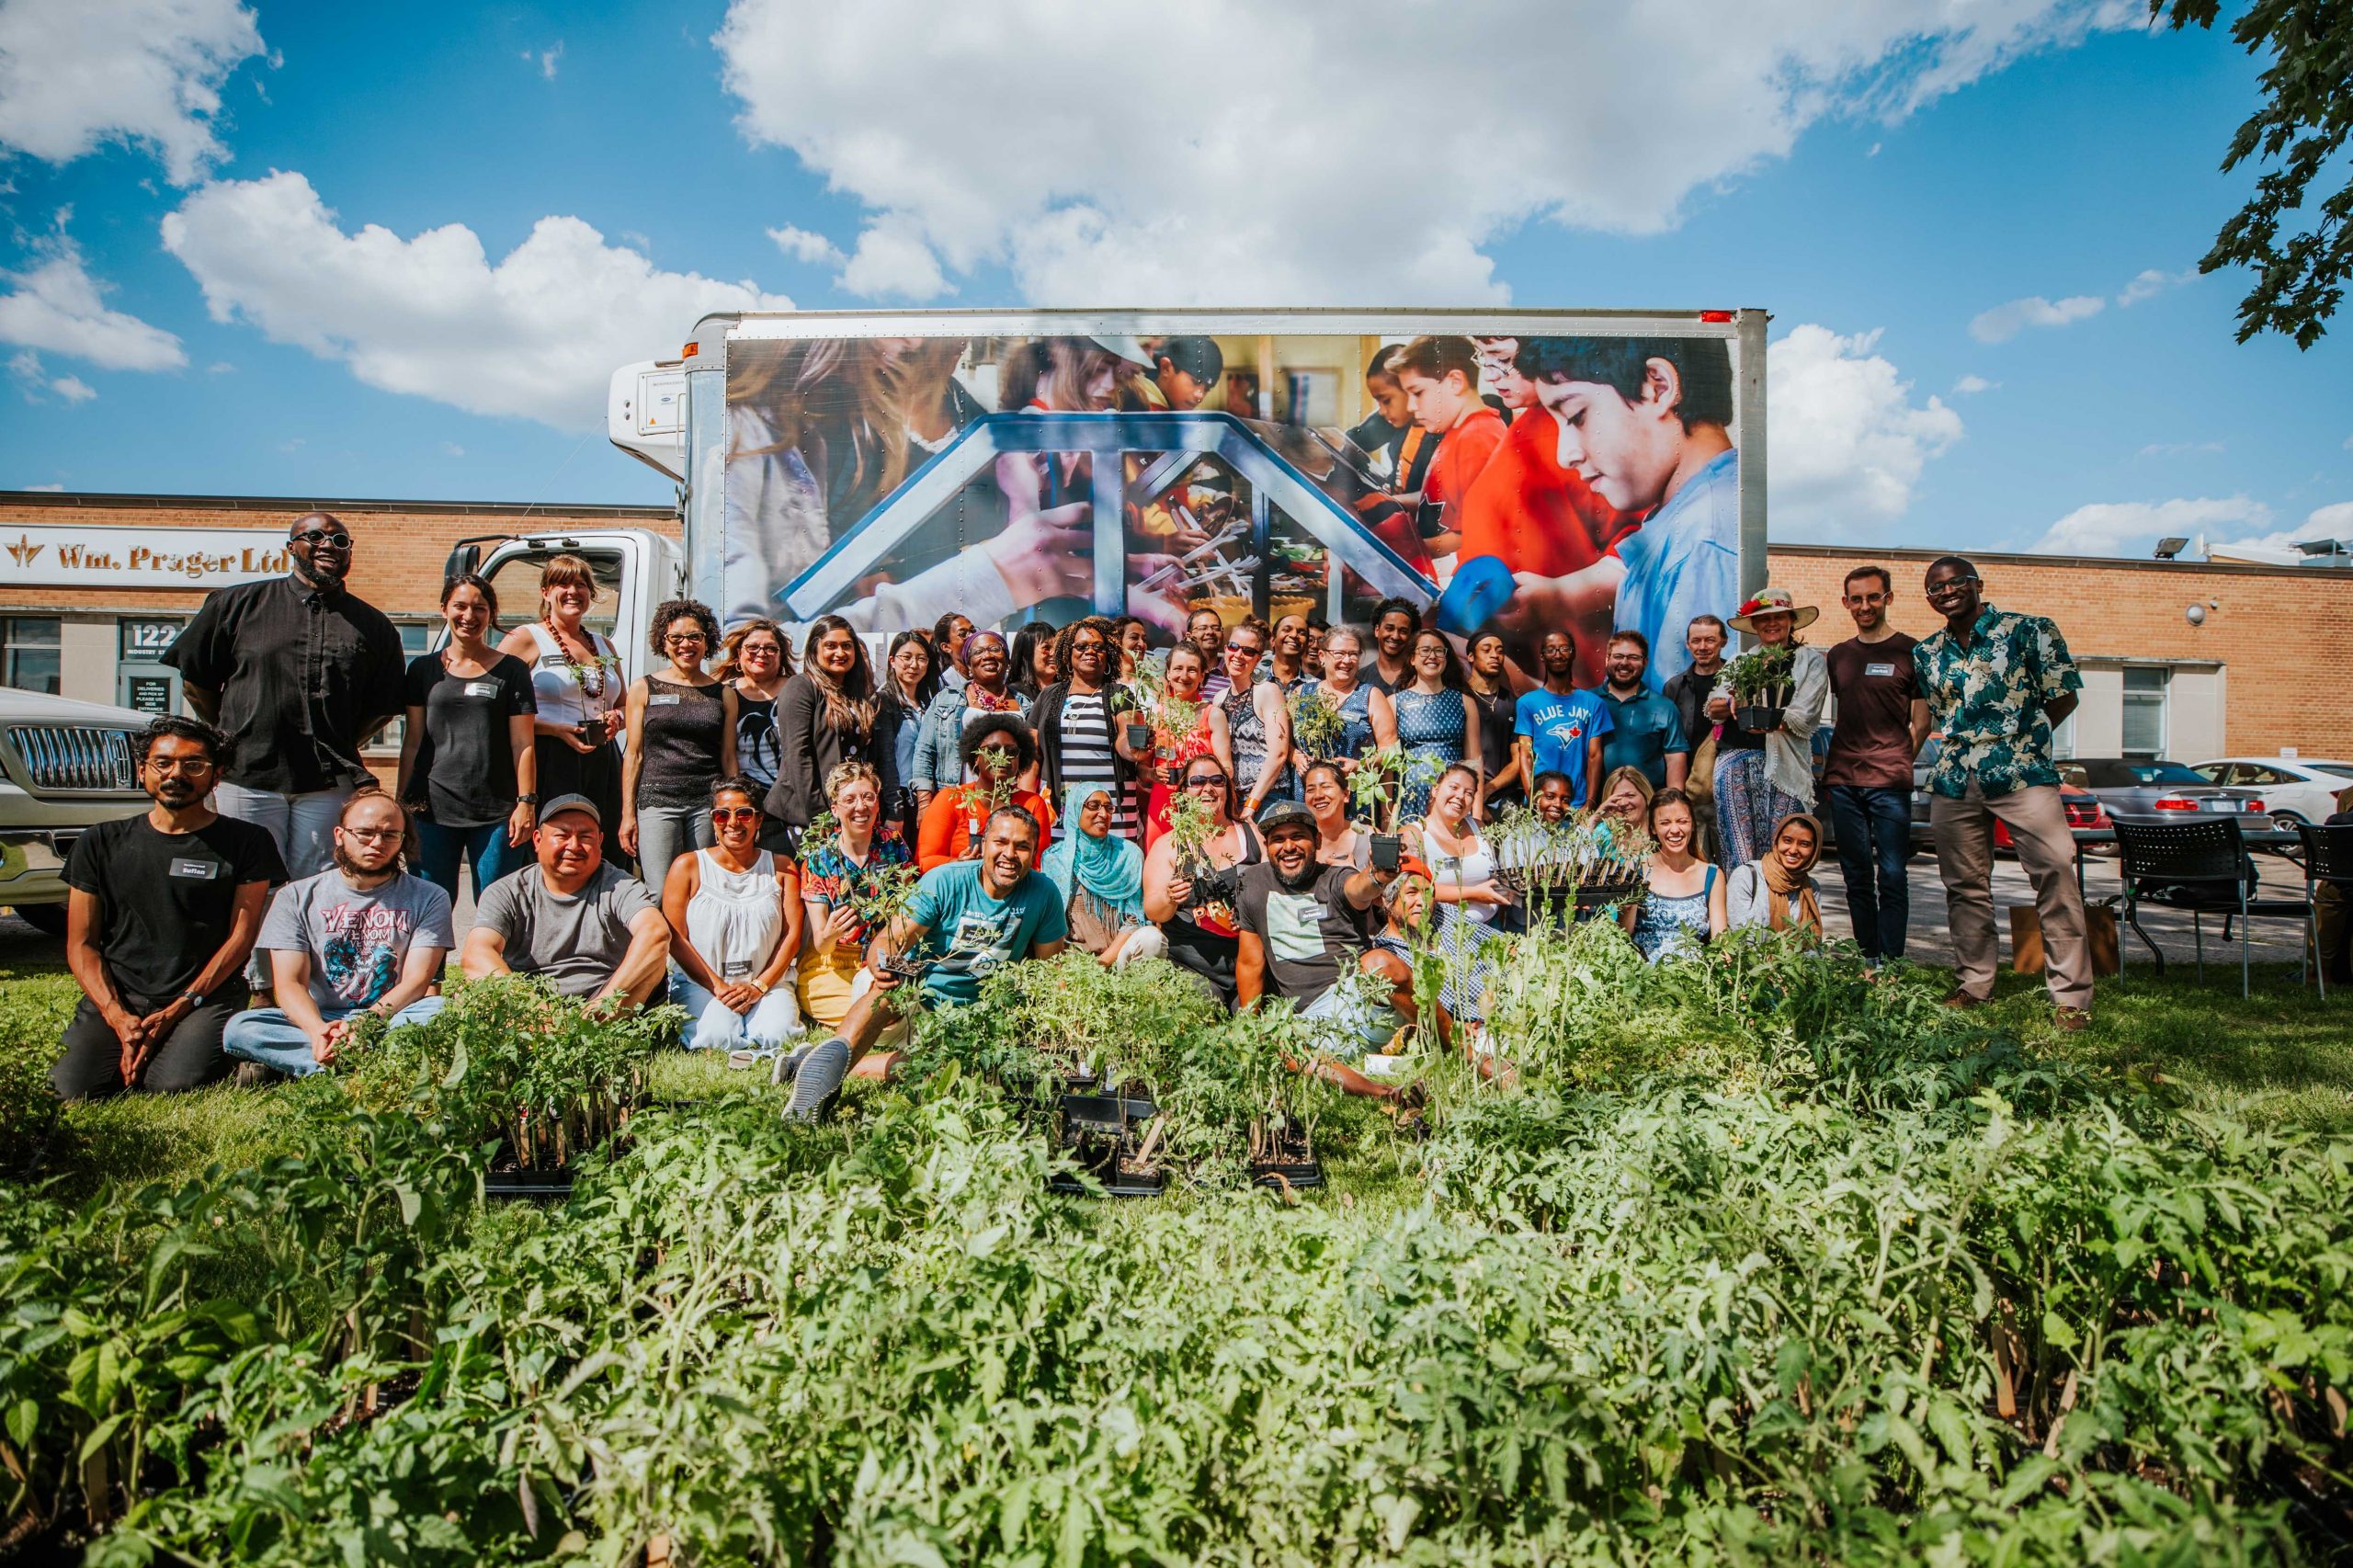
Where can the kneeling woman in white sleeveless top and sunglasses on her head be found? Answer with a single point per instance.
(735, 934)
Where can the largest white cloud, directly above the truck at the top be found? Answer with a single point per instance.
(1081, 147)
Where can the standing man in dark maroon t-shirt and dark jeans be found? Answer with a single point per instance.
(1867, 778)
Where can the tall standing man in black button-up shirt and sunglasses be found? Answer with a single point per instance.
(300, 672)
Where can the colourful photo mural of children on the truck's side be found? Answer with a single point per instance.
(1580, 484)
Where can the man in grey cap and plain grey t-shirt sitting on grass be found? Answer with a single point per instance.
(596, 934)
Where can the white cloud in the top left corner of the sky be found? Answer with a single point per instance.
(145, 72)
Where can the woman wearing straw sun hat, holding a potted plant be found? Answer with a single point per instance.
(1764, 776)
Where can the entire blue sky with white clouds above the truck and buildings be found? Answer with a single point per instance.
(399, 260)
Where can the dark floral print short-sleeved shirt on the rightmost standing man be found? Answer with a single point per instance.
(1989, 700)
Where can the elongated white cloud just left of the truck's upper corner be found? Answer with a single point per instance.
(538, 333)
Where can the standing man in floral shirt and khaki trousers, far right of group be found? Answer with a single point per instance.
(1997, 684)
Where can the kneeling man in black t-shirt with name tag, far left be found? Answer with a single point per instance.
(161, 917)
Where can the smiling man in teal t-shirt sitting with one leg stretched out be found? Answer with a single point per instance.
(966, 922)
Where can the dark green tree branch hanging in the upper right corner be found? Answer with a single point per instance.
(2302, 131)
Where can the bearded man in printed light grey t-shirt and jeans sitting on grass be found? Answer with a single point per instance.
(356, 938)
